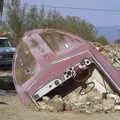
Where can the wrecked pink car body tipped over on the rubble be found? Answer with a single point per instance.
(47, 59)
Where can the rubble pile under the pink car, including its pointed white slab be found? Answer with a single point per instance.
(99, 99)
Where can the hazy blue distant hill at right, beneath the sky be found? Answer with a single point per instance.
(111, 33)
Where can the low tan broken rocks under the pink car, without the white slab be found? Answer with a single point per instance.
(89, 103)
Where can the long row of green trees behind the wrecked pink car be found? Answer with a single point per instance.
(21, 19)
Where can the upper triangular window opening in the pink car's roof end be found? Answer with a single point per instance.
(59, 42)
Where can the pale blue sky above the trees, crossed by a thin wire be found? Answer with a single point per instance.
(96, 18)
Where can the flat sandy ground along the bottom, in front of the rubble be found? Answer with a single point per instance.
(14, 110)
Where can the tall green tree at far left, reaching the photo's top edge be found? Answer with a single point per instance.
(15, 20)
